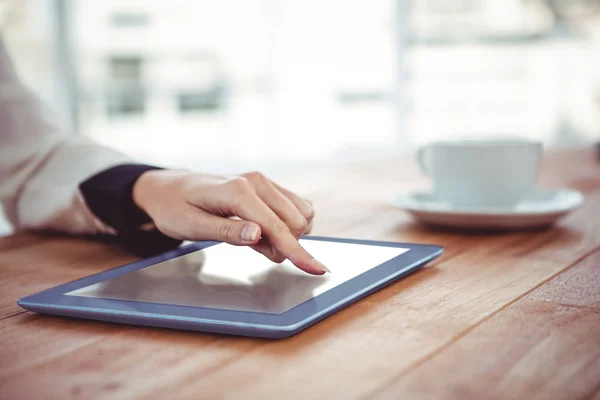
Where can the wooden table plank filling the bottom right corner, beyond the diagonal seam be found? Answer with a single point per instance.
(545, 346)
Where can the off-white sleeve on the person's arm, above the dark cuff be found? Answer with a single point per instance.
(41, 167)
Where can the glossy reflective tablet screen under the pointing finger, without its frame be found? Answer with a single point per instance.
(237, 278)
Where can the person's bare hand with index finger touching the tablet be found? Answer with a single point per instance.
(191, 206)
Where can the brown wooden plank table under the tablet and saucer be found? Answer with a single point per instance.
(512, 316)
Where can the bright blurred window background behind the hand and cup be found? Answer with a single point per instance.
(232, 85)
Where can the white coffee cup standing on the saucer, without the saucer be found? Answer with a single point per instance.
(482, 173)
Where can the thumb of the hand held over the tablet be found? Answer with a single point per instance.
(236, 232)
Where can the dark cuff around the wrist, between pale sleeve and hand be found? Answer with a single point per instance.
(109, 195)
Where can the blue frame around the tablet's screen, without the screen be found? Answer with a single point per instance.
(55, 301)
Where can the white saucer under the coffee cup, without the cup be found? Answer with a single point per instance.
(541, 208)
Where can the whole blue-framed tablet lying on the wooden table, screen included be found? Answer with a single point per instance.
(220, 288)
